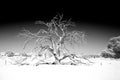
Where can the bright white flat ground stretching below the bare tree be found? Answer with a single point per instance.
(101, 69)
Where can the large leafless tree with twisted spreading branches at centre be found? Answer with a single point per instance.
(57, 40)
